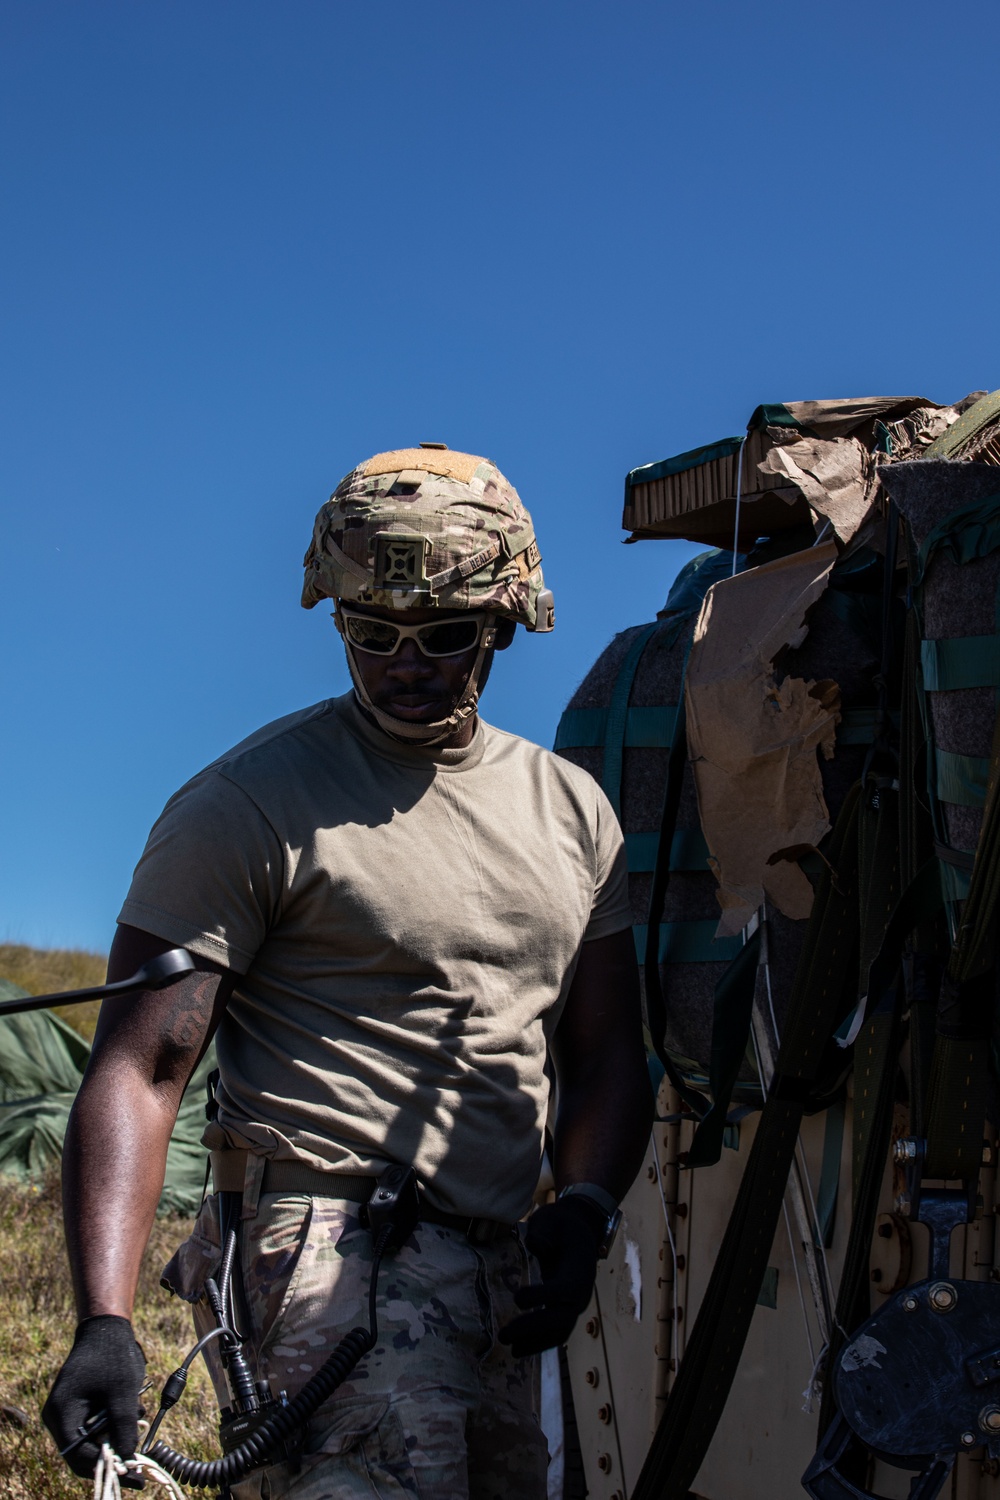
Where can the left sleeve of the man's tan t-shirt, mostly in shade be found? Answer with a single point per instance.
(212, 874)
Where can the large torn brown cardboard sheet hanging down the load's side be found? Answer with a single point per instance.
(753, 740)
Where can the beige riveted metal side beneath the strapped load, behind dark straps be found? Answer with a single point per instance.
(620, 1366)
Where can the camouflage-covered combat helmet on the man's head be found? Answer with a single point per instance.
(424, 527)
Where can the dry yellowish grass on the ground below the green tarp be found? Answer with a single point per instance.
(37, 1333)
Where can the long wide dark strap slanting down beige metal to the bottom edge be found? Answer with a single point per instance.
(825, 977)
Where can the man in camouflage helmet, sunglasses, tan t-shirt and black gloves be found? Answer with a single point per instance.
(398, 913)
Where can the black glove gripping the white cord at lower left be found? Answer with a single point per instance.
(103, 1373)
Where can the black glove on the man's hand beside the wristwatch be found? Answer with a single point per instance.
(564, 1238)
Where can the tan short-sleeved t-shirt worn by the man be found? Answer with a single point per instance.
(407, 923)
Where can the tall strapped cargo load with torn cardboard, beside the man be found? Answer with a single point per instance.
(806, 758)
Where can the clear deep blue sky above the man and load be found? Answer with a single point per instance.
(247, 245)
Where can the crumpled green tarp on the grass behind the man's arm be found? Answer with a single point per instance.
(43, 1063)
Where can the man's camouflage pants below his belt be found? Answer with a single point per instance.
(439, 1411)
